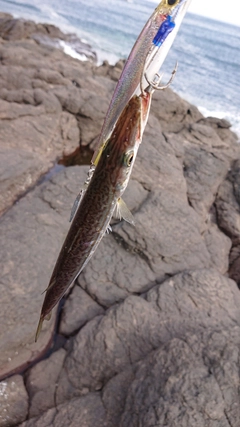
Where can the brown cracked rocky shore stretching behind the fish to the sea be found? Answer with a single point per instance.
(150, 333)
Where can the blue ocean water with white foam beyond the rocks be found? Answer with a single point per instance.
(208, 51)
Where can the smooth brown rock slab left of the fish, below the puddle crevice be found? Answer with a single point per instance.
(31, 235)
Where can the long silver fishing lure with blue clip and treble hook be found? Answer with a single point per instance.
(144, 61)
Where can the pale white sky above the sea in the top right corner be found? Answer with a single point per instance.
(221, 10)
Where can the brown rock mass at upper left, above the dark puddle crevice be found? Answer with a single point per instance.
(40, 104)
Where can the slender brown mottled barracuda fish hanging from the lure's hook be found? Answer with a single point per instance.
(101, 197)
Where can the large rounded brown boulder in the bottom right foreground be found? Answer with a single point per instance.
(161, 336)
